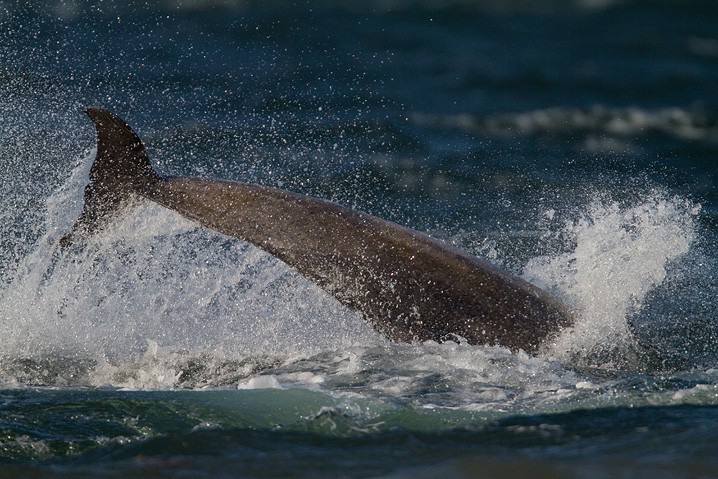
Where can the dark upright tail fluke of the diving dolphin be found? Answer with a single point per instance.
(121, 169)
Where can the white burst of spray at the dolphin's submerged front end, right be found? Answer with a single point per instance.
(621, 253)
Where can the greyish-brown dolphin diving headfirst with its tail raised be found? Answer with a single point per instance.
(408, 285)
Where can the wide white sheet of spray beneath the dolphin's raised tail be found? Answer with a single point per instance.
(155, 286)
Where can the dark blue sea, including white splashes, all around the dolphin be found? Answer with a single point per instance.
(573, 143)
